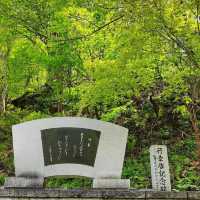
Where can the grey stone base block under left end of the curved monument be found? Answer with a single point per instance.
(23, 182)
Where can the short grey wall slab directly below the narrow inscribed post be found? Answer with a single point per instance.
(166, 195)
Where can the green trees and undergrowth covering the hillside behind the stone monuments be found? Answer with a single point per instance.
(133, 64)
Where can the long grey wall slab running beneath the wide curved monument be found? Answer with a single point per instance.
(76, 194)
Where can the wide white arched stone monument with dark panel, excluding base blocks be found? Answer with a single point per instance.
(69, 146)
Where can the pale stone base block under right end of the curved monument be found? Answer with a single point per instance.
(111, 183)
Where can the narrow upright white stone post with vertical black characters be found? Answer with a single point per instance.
(160, 174)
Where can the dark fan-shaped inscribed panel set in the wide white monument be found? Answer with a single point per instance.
(69, 145)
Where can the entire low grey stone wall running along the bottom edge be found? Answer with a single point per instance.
(94, 194)
